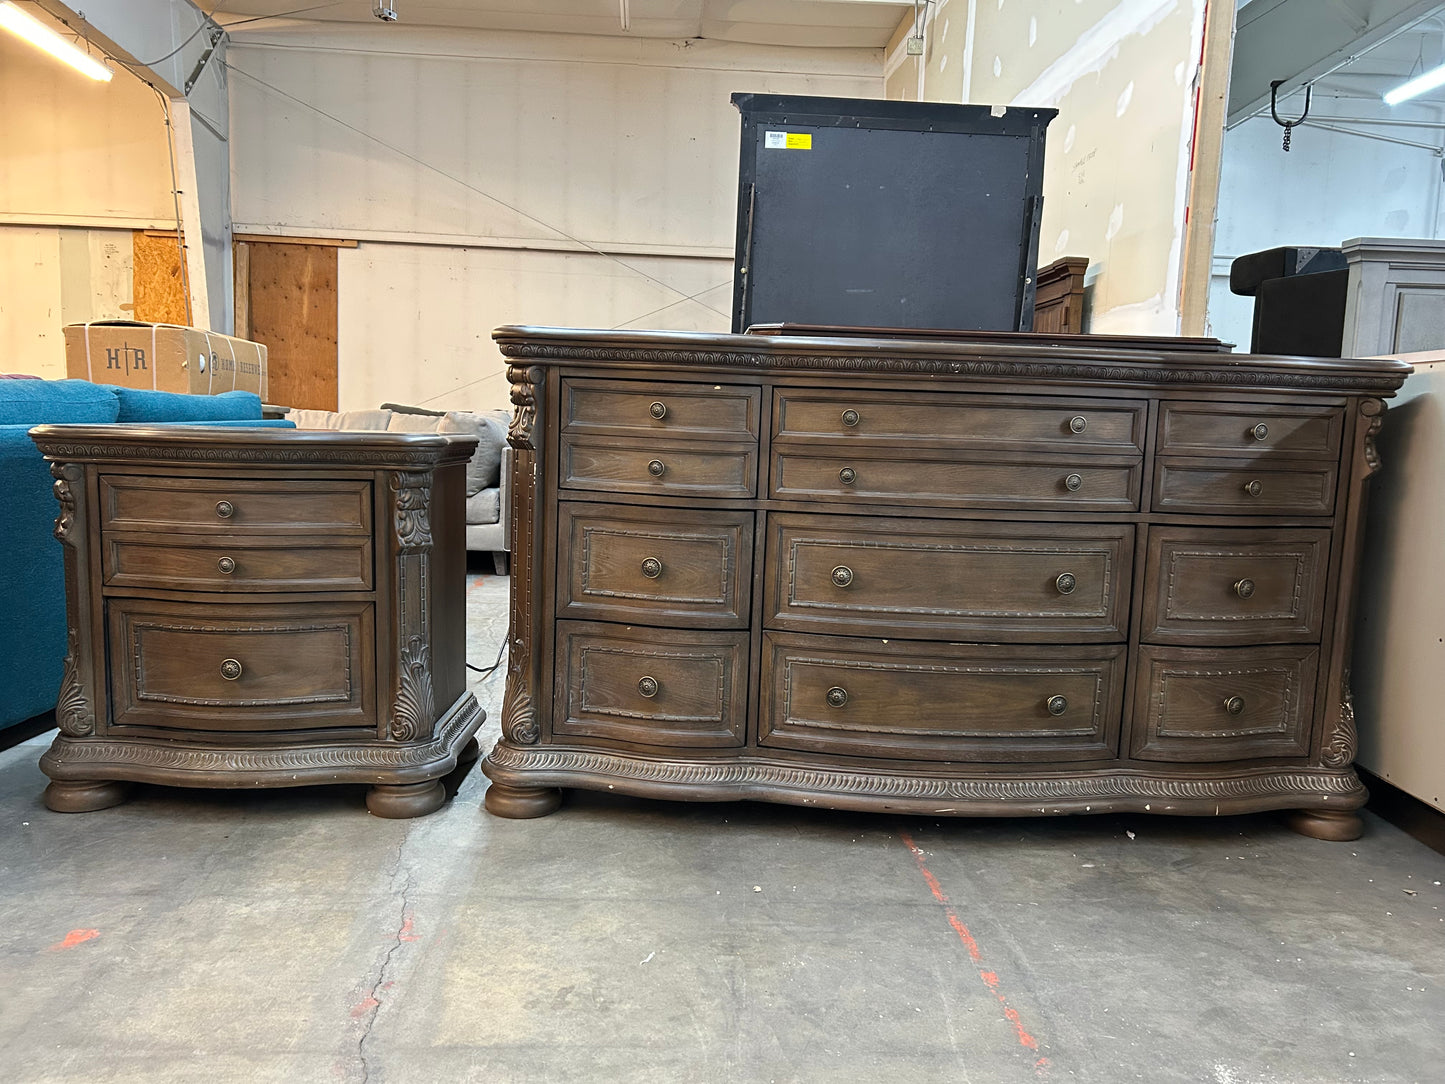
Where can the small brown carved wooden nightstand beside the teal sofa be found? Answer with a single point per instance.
(261, 608)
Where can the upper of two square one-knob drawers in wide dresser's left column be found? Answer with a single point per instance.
(655, 566)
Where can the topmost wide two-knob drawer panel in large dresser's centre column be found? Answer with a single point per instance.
(993, 423)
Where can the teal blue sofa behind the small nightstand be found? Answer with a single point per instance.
(33, 569)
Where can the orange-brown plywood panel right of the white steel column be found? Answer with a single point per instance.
(294, 311)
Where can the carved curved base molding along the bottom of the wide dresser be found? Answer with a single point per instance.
(527, 774)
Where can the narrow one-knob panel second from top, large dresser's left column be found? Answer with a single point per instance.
(655, 468)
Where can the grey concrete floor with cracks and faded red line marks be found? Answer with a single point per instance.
(288, 936)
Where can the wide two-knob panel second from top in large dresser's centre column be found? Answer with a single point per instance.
(1083, 483)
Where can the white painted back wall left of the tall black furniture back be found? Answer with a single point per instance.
(498, 178)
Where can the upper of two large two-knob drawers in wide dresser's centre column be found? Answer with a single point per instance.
(965, 580)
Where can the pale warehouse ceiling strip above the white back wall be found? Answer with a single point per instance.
(833, 24)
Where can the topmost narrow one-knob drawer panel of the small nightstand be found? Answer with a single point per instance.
(235, 505)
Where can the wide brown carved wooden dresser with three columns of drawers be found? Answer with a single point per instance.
(1011, 576)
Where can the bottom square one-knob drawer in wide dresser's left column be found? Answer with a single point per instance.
(686, 689)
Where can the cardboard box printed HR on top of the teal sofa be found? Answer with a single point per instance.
(164, 358)
